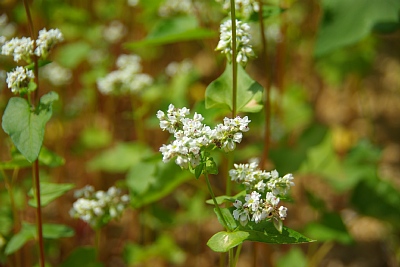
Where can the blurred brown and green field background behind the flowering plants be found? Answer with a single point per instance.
(333, 71)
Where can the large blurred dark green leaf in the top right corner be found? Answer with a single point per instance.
(339, 27)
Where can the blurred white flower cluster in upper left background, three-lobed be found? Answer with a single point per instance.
(126, 79)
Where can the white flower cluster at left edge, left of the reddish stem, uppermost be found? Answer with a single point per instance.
(19, 48)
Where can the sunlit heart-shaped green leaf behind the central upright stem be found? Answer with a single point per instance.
(249, 92)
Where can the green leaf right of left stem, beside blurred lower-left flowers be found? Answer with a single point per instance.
(49, 192)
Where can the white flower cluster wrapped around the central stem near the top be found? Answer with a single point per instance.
(243, 48)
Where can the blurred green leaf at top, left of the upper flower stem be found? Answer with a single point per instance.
(172, 30)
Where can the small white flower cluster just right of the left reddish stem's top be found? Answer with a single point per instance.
(47, 40)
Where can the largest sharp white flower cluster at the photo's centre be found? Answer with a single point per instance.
(192, 136)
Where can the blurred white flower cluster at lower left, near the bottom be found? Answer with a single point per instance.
(98, 208)
